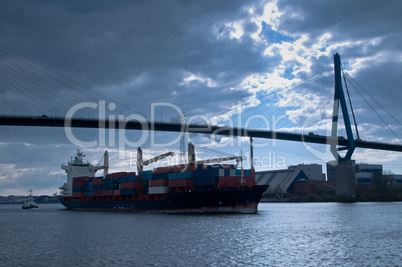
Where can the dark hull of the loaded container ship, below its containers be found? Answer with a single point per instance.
(237, 200)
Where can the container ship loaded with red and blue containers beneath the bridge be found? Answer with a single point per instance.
(192, 187)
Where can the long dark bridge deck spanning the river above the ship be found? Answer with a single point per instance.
(177, 127)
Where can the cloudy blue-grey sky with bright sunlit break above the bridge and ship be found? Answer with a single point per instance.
(211, 60)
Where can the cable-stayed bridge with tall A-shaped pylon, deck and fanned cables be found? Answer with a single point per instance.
(33, 95)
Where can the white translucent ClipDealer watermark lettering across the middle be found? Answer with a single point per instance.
(228, 130)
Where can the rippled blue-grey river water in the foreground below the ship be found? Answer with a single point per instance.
(281, 234)
